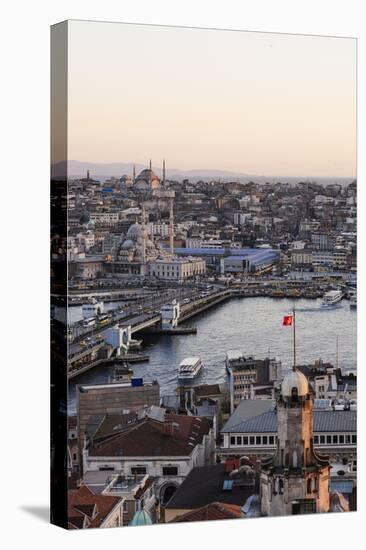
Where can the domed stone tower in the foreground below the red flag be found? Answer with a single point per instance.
(295, 480)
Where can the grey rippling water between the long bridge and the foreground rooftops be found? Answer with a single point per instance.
(253, 325)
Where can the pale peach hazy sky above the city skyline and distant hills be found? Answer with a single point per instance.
(265, 104)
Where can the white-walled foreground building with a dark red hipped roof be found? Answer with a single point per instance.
(164, 446)
